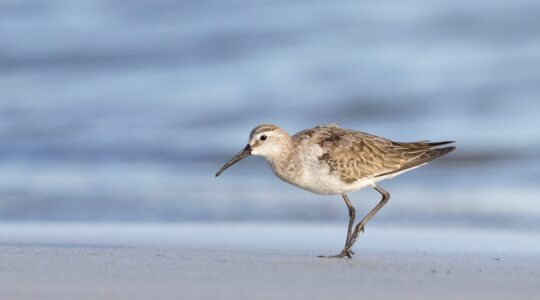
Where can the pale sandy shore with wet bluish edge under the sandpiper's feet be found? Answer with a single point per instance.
(263, 261)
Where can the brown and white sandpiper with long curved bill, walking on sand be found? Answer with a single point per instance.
(331, 160)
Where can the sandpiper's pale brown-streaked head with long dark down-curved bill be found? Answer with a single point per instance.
(266, 140)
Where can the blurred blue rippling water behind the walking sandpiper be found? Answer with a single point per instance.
(124, 110)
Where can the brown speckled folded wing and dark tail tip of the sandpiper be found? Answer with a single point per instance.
(355, 155)
